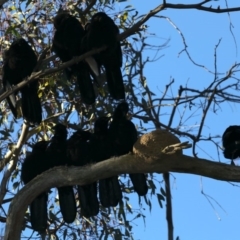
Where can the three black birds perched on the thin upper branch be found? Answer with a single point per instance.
(70, 40)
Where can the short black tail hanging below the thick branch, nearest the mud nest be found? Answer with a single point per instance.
(139, 183)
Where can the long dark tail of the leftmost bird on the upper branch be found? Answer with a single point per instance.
(31, 105)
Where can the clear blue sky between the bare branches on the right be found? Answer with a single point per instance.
(195, 218)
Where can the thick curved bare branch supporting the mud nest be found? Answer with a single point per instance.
(62, 176)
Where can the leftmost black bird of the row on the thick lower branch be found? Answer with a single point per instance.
(33, 165)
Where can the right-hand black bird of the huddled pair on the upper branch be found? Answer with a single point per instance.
(102, 31)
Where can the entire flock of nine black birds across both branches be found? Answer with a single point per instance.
(71, 40)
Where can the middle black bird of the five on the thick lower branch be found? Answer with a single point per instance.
(79, 152)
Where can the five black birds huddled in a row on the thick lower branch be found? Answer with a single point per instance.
(83, 147)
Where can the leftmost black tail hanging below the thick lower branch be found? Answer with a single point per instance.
(38, 213)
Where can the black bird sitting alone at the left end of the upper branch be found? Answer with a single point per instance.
(19, 62)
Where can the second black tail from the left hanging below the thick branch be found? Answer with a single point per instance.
(67, 203)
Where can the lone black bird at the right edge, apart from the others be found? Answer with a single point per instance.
(231, 142)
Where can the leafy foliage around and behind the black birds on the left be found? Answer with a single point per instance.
(61, 101)
